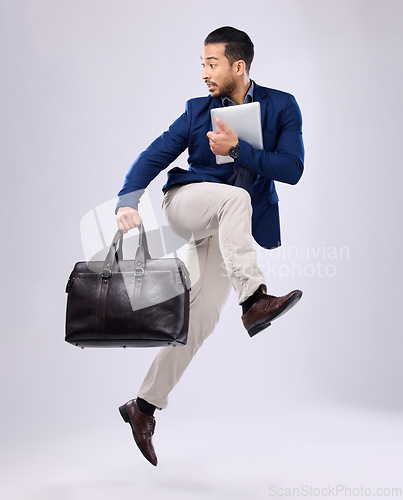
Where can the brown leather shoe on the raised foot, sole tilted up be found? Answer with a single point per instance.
(266, 308)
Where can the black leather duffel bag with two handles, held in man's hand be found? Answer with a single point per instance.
(128, 303)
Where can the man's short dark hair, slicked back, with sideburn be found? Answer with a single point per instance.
(238, 45)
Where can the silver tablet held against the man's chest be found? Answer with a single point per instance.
(244, 120)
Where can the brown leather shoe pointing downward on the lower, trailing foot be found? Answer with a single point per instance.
(142, 427)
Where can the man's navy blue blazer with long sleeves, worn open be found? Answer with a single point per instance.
(282, 158)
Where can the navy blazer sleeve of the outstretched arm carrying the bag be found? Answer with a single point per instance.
(158, 156)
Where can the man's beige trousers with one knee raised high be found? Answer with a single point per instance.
(219, 254)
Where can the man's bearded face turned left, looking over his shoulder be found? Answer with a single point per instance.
(217, 72)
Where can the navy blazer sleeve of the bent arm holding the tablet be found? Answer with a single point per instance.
(286, 164)
